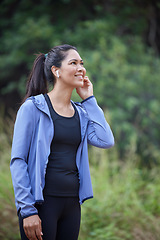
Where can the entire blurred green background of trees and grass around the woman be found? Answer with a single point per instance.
(119, 41)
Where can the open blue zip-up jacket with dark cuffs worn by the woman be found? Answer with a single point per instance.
(33, 133)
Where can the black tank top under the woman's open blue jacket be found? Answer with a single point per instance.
(62, 177)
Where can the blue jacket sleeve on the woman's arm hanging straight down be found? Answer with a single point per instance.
(23, 131)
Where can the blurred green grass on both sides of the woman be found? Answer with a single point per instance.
(125, 204)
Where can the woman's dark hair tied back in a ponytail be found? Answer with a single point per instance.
(41, 70)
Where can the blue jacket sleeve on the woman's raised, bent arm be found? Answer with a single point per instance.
(98, 132)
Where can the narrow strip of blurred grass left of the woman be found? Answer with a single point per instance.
(8, 218)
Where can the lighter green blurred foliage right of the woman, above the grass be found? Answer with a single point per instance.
(125, 78)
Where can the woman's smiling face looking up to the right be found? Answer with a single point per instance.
(72, 71)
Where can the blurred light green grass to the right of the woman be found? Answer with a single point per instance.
(126, 203)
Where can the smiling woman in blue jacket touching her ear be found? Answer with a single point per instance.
(49, 162)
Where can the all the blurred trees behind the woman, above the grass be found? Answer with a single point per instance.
(120, 43)
